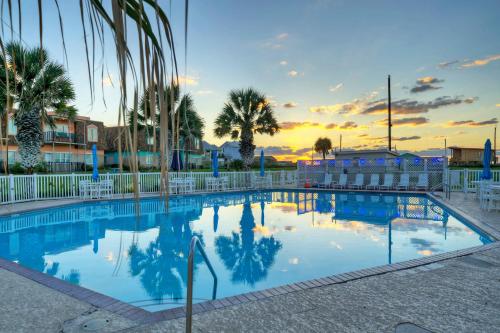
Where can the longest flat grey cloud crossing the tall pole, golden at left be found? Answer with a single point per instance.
(406, 106)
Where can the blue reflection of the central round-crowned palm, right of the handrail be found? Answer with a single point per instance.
(249, 260)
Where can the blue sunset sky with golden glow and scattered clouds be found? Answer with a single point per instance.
(323, 64)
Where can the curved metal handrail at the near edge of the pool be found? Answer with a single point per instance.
(196, 244)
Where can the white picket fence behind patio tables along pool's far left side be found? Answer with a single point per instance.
(54, 186)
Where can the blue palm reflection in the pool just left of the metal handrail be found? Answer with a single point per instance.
(162, 264)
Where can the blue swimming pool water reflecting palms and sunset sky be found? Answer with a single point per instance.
(255, 240)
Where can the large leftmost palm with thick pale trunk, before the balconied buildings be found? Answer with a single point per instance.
(37, 85)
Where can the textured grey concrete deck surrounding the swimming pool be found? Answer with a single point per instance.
(461, 294)
